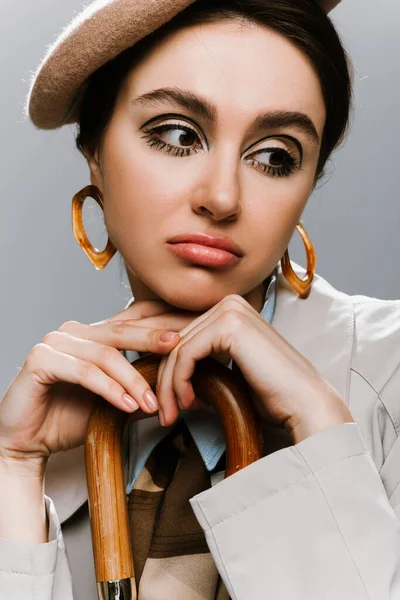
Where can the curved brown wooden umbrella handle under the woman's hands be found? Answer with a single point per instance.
(212, 382)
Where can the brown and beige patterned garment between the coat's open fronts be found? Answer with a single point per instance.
(171, 556)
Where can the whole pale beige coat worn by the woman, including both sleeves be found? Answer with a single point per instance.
(314, 521)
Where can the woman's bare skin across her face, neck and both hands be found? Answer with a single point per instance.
(149, 197)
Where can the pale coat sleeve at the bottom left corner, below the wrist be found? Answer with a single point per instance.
(36, 571)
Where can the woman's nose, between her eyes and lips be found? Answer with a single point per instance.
(217, 194)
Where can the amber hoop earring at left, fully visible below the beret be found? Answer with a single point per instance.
(98, 259)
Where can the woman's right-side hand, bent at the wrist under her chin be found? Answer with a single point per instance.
(288, 390)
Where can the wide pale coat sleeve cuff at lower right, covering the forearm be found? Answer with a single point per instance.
(307, 522)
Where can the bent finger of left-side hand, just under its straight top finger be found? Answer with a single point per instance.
(111, 362)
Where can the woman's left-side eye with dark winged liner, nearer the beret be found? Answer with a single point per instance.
(174, 138)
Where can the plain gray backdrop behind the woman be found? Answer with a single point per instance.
(352, 219)
